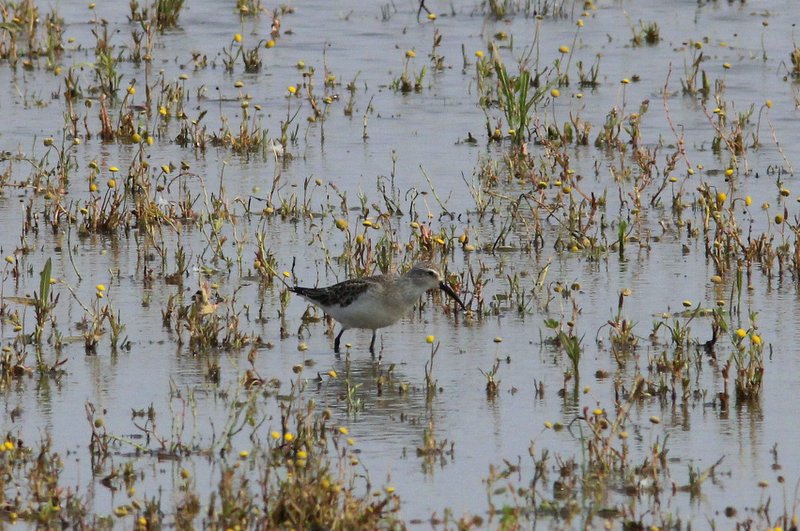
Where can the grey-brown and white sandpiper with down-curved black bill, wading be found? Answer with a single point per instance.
(375, 302)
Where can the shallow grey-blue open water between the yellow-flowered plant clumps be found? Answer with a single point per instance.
(423, 133)
